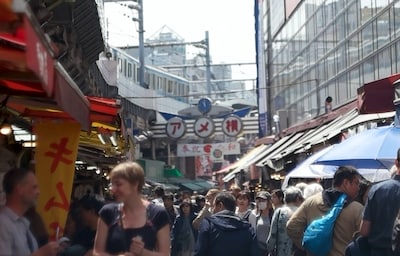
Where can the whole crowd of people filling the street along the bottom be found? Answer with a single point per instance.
(217, 223)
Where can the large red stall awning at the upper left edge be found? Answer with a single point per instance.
(30, 72)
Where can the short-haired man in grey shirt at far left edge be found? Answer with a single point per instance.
(22, 190)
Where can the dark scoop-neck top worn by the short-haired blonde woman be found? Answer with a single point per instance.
(119, 238)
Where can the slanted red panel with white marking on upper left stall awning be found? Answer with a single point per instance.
(39, 59)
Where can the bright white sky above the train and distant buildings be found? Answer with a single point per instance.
(230, 24)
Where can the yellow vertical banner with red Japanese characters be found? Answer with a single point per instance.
(56, 151)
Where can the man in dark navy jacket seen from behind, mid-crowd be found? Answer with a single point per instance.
(224, 233)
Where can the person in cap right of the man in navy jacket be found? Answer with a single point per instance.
(263, 219)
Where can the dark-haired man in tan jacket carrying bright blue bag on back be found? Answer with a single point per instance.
(345, 180)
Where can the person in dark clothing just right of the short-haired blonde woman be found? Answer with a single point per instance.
(184, 235)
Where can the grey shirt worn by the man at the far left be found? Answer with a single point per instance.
(15, 236)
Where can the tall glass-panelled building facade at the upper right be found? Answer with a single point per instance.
(320, 51)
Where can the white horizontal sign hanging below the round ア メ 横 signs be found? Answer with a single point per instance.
(220, 149)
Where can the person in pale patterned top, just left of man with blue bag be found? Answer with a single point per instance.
(278, 240)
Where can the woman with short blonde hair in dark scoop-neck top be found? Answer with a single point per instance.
(132, 224)
